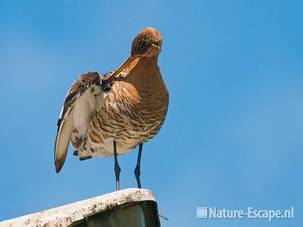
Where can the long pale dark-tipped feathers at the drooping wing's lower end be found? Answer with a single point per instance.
(61, 144)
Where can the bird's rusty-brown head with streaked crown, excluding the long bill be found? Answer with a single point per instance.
(147, 43)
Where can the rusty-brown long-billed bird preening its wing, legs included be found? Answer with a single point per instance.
(113, 113)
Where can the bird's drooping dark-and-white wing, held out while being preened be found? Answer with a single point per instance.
(83, 99)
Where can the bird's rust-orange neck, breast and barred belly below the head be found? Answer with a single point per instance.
(134, 110)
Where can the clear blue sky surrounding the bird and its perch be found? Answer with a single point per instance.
(233, 134)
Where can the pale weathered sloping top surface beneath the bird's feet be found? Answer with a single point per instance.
(67, 214)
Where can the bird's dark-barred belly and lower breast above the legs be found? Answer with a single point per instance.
(128, 117)
